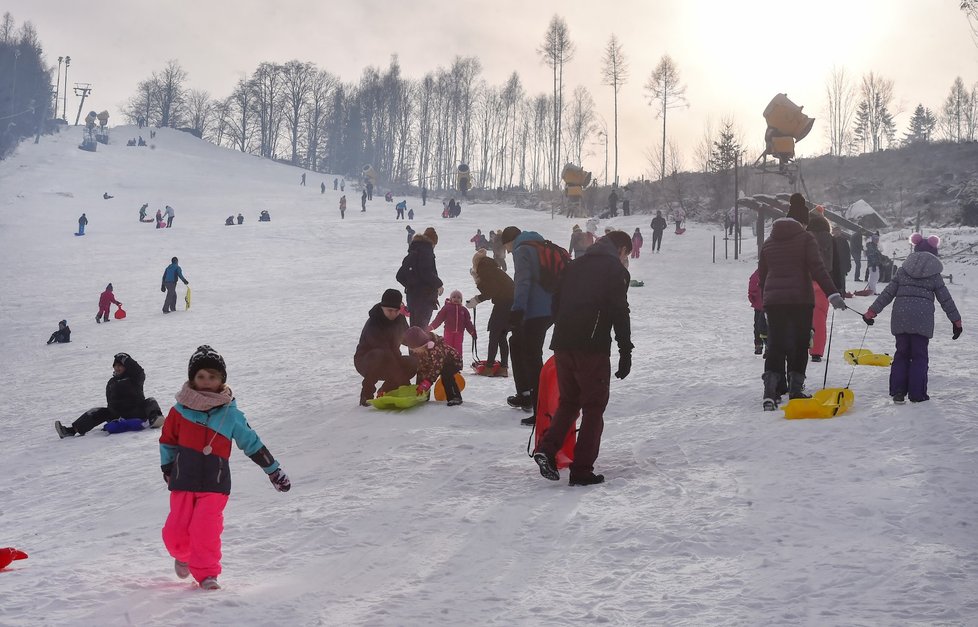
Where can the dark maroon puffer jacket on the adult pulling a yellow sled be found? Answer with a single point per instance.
(788, 263)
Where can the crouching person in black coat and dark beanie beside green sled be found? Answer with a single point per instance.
(378, 356)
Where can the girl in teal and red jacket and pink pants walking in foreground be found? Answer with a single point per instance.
(195, 447)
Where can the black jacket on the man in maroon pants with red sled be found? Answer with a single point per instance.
(591, 299)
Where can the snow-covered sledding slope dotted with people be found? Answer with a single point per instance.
(714, 511)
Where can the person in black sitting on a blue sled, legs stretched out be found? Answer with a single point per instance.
(128, 409)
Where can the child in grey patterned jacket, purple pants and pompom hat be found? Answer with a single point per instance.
(913, 290)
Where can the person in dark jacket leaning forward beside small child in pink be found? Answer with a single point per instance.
(495, 285)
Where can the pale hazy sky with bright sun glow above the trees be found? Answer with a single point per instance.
(733, 56)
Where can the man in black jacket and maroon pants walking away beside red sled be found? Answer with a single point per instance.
(591, 300)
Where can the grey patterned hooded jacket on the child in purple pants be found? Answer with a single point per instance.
(913, 290)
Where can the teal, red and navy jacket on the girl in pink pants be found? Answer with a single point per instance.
(195, 445)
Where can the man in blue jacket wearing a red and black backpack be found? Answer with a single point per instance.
(537, 264)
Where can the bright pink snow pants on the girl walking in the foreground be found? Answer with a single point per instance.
(192, 532)
